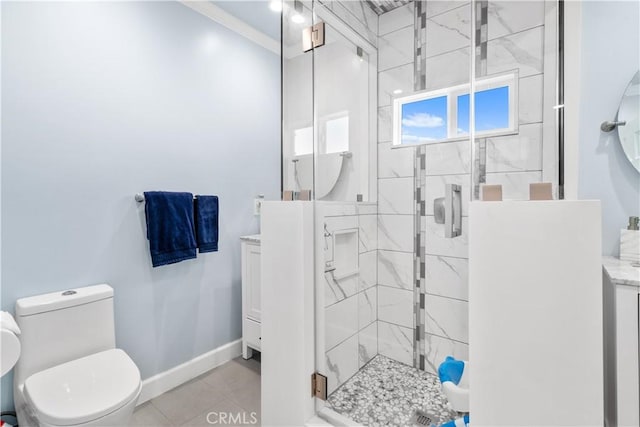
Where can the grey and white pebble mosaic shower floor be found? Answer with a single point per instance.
(387, 392)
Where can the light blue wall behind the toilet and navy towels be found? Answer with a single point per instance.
(104, 100)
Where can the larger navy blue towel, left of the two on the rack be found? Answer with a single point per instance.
(170, 226)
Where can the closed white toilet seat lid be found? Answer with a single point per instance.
(84, 389)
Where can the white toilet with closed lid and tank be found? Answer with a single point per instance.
(69, 372)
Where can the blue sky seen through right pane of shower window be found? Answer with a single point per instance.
(492, 110)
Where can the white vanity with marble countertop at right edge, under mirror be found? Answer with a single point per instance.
(622, 281)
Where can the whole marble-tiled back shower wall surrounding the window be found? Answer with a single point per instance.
(427, 45)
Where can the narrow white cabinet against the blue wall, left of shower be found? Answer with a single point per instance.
(251, 290)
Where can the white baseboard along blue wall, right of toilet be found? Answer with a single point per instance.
(165, 381)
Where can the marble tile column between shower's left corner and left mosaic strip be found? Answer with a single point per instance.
(395, 190)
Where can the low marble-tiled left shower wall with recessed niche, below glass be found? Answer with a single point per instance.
(351, 308)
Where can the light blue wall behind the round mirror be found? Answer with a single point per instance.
(610, 58)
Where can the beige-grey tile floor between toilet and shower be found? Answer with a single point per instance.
(233, 388)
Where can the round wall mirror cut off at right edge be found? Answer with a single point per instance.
(629, 112)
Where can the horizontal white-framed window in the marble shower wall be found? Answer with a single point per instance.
(443, 115)
